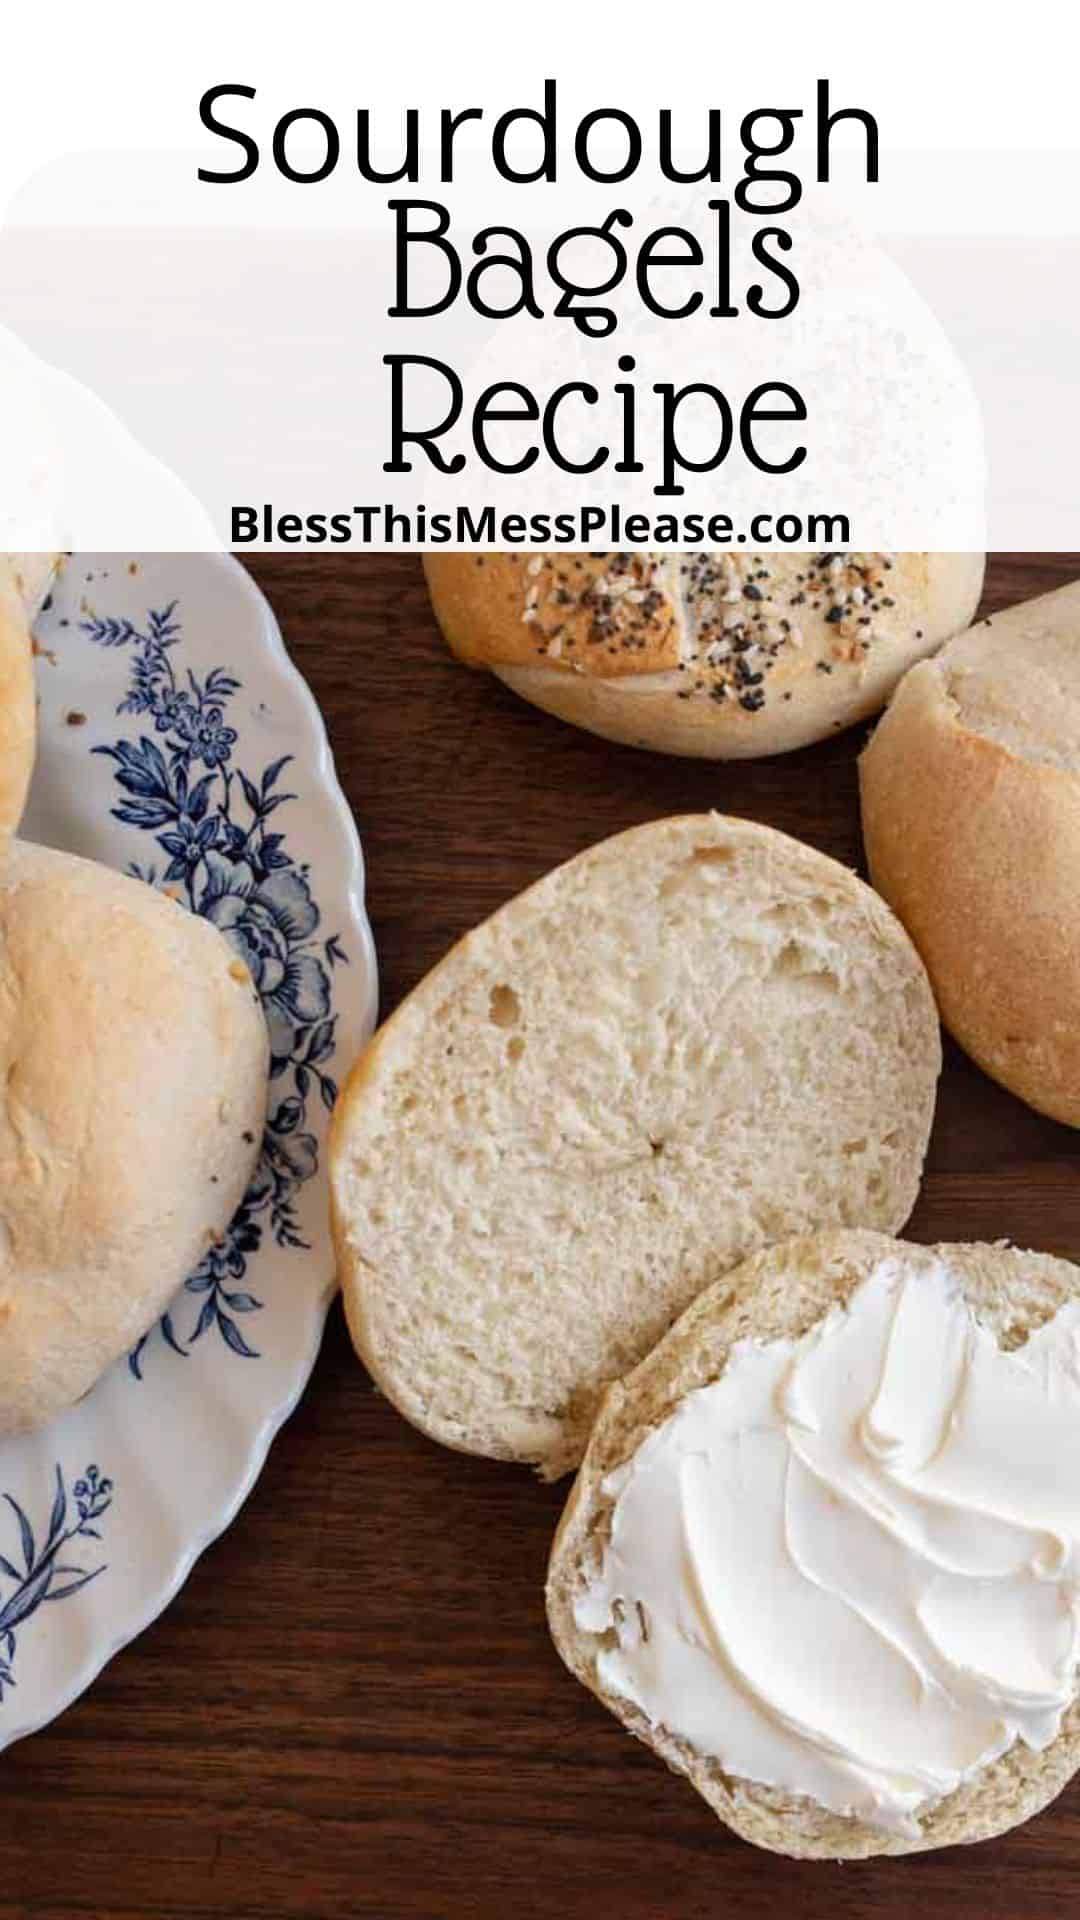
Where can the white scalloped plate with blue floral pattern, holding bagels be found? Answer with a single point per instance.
(180, 744)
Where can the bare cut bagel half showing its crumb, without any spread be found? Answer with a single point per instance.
(693, 1040)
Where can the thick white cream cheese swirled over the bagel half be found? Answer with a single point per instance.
(850, 1568)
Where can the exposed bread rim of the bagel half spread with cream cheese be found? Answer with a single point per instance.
(783, 1295)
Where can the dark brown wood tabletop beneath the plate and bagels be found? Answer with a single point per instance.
(355, 1708)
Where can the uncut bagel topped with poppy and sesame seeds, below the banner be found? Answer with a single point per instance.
(720, 656)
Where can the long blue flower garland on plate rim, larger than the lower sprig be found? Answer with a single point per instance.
(210, 819)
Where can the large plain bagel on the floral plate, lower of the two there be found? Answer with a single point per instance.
(134, 1084)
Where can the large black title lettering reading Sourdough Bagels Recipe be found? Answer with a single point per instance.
(731, 258)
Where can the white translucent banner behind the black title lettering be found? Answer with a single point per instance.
(172, 350)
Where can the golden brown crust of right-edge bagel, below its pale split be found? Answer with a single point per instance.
(977, 850)
